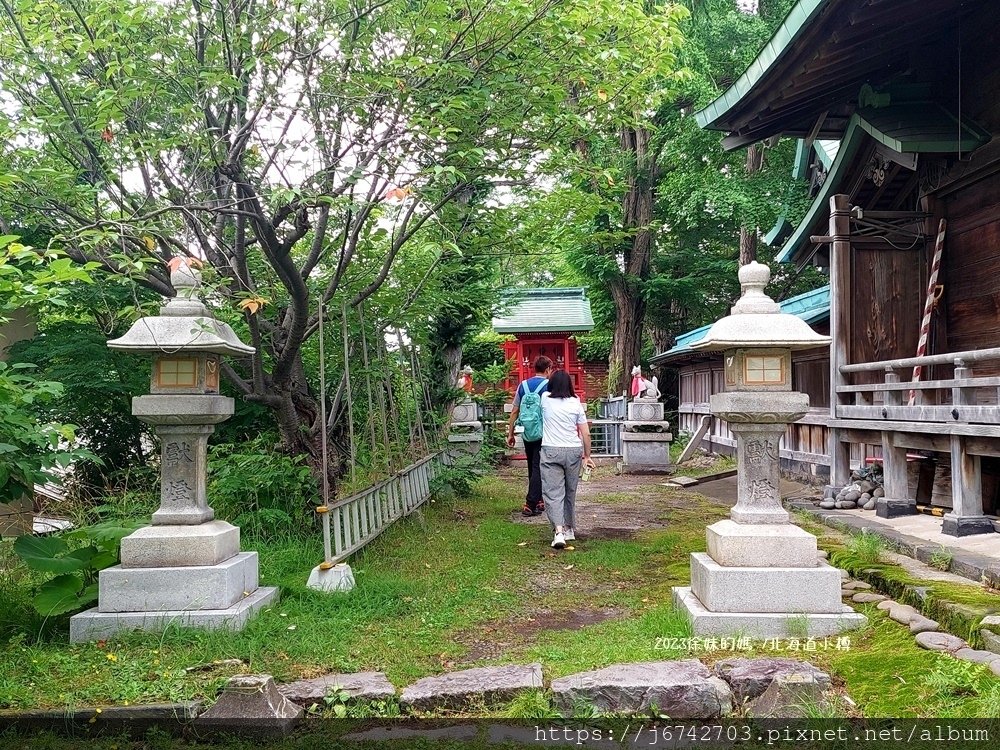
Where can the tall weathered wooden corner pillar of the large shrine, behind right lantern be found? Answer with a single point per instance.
(840, 329)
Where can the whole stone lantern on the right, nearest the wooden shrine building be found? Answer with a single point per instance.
(762, 576)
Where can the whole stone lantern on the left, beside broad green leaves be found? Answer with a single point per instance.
(186, 567)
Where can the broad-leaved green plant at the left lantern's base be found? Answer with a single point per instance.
(75, 558)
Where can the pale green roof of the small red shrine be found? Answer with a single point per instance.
(545, 311)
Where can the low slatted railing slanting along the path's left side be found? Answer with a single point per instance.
(358, 519)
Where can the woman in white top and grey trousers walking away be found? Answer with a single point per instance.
(565, 446)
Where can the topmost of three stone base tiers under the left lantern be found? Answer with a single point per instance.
(174, 546)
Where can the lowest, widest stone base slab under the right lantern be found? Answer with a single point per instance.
(763, 624)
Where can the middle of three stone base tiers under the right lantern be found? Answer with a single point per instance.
(754, 590)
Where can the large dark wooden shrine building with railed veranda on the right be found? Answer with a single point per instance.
(907, 220)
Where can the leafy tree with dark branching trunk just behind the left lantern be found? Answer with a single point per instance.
(302, 149)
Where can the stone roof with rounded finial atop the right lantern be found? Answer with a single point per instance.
(756, 320)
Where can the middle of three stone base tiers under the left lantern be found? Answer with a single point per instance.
(181, 588)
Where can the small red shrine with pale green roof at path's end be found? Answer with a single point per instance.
(542, 322)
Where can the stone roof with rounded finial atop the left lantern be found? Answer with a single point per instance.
(184, 324)
